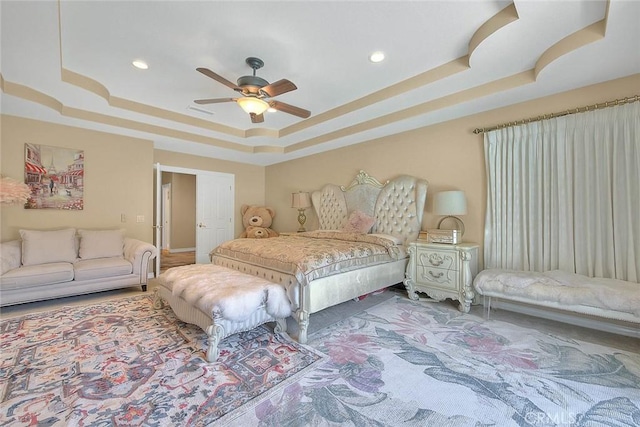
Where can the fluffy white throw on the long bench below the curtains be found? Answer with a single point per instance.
(564, 288)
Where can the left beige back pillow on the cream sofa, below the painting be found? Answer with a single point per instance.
(42, 247)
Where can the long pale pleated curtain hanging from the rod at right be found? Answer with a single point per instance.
(564, 194)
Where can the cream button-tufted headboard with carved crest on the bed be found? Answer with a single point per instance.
(397, 205)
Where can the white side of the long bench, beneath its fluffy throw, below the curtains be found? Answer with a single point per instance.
(586, 321)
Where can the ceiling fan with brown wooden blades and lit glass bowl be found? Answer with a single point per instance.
(256, 92)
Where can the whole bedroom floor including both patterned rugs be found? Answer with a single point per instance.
(381, 361)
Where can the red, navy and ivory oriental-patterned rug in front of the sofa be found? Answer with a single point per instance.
(124, 363)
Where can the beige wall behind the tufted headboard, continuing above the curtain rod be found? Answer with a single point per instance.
(449, 155)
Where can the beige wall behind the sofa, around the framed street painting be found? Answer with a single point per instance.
(117, 180)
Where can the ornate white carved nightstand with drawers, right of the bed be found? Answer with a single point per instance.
(442, 271)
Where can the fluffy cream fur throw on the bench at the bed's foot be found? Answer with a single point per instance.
(234, 295)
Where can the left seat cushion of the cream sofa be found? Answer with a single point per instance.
(33, 275)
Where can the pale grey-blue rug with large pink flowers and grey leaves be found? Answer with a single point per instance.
(405, 363)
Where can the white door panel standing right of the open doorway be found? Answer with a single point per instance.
(214, 212)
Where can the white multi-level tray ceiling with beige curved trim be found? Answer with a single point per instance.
(69, 62)
